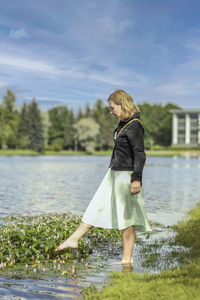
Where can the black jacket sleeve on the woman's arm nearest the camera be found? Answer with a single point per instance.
(135, 135)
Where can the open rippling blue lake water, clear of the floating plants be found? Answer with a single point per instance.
(49, 184)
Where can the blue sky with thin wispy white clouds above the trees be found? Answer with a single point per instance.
(73, 52)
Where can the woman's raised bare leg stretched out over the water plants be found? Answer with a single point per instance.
(72, 241)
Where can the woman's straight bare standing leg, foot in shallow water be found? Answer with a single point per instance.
(128, 244)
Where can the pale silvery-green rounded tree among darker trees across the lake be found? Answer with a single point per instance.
(86, 133)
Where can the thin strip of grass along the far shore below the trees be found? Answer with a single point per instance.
(155, 152)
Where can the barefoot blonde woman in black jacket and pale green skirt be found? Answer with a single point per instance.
(118, 202)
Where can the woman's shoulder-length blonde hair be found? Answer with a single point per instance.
(126, 101)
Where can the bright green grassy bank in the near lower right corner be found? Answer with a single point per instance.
(180, 283)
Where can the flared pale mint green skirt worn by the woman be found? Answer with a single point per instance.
(113, 206)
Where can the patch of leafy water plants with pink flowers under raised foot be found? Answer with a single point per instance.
(27, 244)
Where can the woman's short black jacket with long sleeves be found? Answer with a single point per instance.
(128, 153)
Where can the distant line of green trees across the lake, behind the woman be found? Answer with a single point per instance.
(59, 129)
